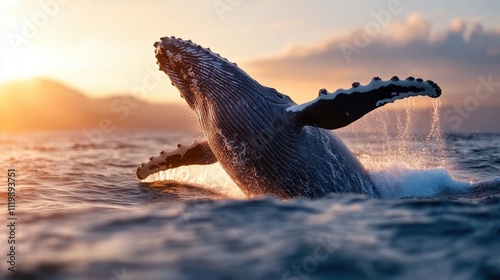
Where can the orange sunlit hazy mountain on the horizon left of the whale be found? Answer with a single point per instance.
(43, 104)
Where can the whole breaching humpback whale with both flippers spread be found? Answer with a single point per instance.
(268, 144)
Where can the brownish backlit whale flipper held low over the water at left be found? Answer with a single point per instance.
(198, 153)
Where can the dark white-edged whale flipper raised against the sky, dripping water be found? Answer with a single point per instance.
(344, 106)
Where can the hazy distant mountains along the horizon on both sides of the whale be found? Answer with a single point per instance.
(43, 104)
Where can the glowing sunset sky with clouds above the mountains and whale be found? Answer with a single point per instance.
(105, 47)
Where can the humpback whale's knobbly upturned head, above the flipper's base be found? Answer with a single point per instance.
(204, 77)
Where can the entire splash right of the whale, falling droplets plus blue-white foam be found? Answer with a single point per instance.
(409, 160)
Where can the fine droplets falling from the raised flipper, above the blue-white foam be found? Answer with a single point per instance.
(401, 137)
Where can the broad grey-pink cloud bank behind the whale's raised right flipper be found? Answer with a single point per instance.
(454, 58)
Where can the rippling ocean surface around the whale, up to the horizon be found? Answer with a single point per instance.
(82, 214)
